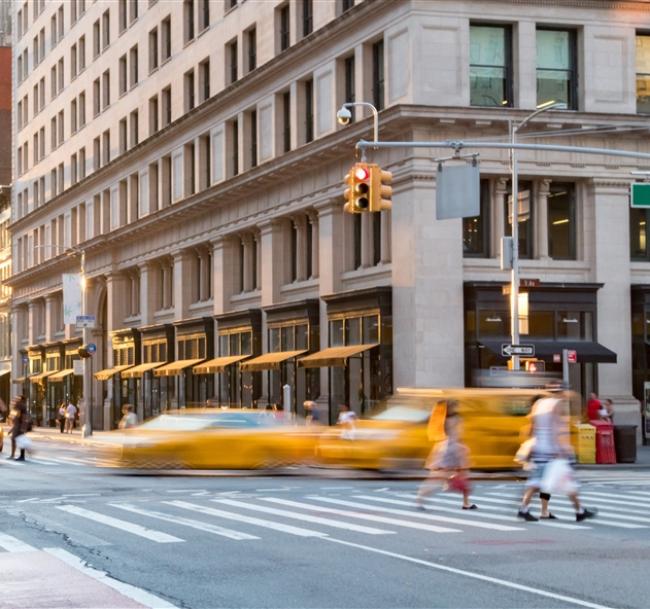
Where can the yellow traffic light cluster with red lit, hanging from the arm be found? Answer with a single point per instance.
(368, 189)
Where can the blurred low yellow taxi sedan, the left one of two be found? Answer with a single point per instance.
(213, 439)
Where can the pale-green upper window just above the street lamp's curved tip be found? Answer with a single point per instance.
(556, 67)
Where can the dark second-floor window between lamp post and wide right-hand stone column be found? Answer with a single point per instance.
(562, 222)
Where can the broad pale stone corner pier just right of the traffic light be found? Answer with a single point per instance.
(427, 279)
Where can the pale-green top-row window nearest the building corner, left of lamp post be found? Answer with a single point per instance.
(490, 69)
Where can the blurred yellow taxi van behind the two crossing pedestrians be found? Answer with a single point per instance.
(406, 427)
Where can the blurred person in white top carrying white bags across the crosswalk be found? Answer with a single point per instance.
(549, 442)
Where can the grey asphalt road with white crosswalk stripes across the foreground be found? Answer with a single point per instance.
(74, 535)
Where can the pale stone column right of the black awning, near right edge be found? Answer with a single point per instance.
(607, 209)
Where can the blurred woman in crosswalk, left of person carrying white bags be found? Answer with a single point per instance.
(448, 463)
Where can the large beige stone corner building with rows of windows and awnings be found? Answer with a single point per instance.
(190, 152)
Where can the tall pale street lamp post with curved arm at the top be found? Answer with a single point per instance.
(514, 217)
